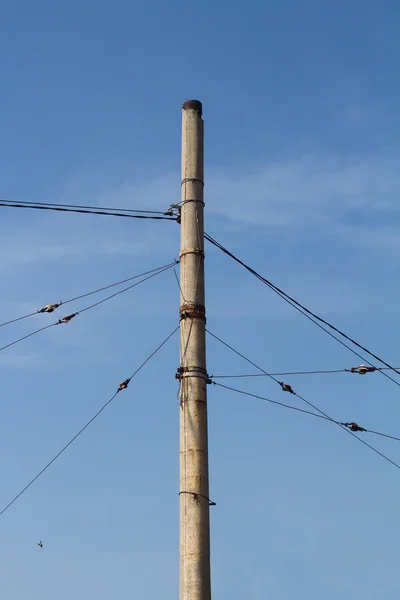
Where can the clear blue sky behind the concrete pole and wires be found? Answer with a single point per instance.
(300, 101)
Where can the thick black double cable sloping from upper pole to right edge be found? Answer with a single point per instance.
(307, 313)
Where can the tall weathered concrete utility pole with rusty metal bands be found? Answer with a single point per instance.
(195, 581)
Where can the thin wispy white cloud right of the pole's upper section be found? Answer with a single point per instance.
(308, 192)
